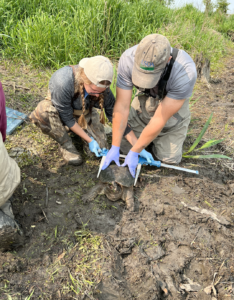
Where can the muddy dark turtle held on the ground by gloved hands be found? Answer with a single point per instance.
(116, 183)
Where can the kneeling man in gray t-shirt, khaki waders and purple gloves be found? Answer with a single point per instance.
(164, 78)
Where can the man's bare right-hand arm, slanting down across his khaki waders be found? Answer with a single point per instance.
(166, 109)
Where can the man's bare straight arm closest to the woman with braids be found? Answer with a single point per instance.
(120, 115)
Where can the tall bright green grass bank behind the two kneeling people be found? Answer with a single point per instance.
(61, 32)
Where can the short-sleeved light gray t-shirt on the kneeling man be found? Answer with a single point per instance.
(181, 81)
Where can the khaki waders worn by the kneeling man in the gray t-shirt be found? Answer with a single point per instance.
(168, 145)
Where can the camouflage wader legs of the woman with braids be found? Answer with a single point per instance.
(46, 117)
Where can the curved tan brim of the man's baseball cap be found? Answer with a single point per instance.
(144, 80)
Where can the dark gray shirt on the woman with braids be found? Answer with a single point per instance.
(61, 86)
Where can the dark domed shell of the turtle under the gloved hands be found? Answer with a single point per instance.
(121, 175)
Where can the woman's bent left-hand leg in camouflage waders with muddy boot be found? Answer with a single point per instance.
(46, 117)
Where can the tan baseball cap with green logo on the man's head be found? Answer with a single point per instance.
(151, 57)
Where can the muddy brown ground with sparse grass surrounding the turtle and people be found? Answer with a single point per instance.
(177, 244)
